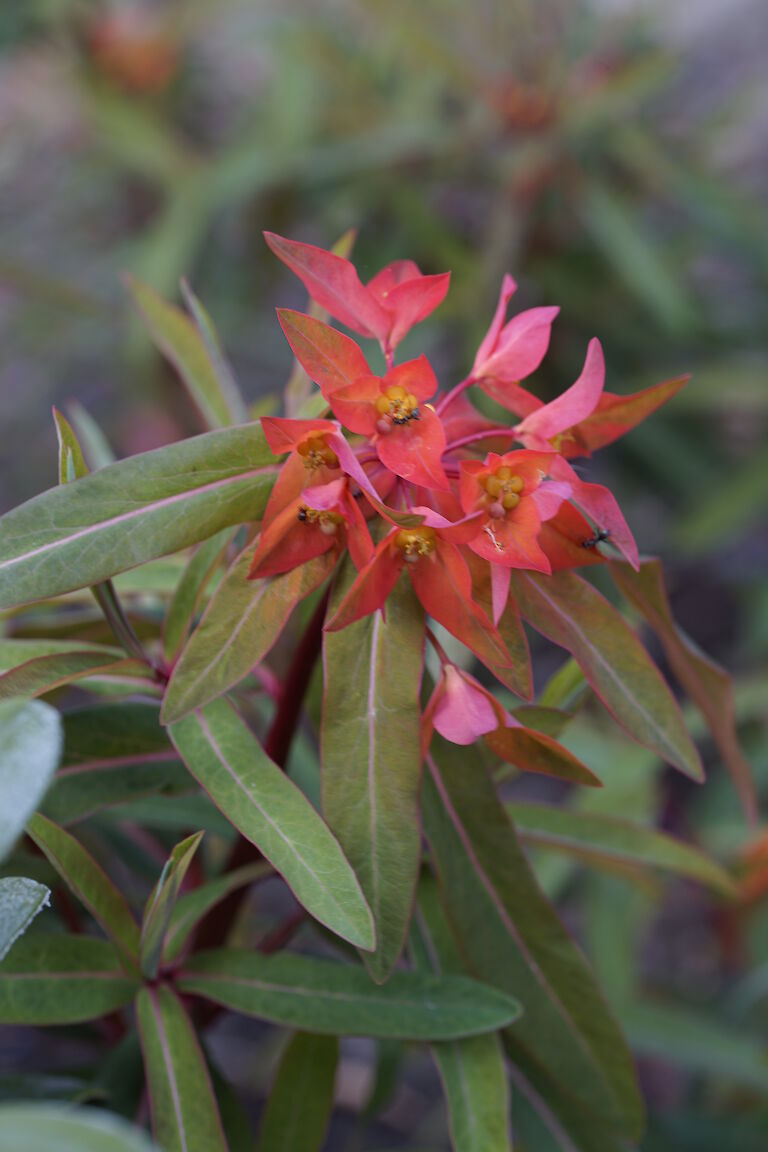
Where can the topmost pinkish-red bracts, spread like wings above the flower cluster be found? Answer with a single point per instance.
(386, 309)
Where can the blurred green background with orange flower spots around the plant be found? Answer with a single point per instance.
(612, 156)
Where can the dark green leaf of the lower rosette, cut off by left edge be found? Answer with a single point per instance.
(48, 979)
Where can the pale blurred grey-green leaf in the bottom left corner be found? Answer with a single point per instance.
(41, 1127)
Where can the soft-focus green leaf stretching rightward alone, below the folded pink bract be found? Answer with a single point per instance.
(600, 838)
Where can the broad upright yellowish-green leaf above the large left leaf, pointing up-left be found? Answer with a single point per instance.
(185, 346)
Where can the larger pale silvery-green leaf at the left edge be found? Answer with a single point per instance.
(31, 747)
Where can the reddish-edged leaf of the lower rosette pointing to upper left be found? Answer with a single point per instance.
(90, 884)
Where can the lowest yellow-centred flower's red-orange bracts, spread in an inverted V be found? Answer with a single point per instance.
(442, 580)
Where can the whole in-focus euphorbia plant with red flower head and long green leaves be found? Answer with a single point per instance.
(414, 526)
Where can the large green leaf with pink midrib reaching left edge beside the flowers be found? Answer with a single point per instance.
(132, 512)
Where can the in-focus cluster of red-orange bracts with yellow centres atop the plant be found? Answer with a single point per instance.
(409, 480)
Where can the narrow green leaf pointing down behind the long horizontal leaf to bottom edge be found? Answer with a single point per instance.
(473, 1071)
